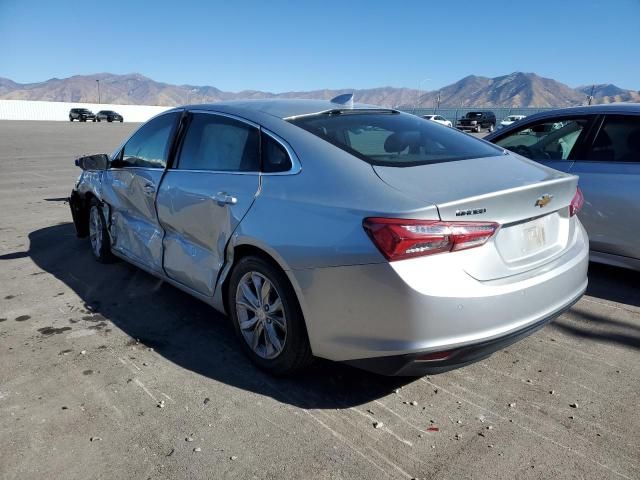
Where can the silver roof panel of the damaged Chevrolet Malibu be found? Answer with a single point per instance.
(281, 108)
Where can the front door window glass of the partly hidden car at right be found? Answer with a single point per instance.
(548, 140)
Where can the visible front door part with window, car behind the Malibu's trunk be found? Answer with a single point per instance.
(554, 142)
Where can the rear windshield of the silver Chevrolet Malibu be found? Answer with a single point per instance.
(395, 139)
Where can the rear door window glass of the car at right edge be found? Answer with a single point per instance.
(617, 141)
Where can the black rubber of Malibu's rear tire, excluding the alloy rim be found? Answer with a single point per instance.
(296, 353)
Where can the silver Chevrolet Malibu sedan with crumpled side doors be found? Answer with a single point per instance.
(352, 233)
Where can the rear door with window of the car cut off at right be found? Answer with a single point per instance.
(609, 171)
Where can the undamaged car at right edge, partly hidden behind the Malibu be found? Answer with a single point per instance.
(600, 144)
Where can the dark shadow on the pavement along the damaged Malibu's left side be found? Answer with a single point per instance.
(184, 330)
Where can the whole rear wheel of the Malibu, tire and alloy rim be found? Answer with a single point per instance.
(290, 351)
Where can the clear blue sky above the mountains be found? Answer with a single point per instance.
(281, 46)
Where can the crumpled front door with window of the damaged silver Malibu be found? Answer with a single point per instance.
(130, 189)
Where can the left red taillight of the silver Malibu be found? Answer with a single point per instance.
(399, 238)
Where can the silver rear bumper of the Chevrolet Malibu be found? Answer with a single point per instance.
(428, 305)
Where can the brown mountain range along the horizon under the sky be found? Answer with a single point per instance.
(515, 90)
